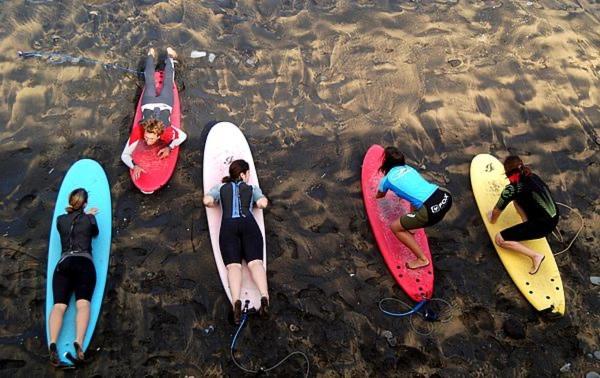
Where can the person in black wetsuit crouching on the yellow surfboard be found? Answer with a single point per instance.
(535, 205)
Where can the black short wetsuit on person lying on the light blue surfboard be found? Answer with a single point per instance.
(75, 271)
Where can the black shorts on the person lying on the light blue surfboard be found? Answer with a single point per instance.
(74, 274)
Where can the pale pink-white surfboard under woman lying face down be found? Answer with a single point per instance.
(224, 144)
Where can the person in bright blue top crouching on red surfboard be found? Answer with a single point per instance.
(430, 202)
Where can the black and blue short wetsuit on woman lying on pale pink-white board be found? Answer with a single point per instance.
(239, 237)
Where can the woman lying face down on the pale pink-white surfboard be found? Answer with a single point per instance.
(240, 237)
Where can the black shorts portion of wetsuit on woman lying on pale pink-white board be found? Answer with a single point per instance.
(240, 238)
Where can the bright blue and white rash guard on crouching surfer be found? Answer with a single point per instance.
(407, 183)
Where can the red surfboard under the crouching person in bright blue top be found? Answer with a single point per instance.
(417, 283)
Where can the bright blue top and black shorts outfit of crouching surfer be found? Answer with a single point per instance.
(431, 203)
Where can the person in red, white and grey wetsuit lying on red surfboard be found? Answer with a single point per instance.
(156, 114)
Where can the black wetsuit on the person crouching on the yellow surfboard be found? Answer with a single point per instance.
(534, 198)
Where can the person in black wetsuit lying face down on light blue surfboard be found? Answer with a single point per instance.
(75, 271)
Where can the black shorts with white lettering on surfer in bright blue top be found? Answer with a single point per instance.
(433, 210)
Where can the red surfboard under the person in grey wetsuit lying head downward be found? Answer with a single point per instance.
(158, 171)
